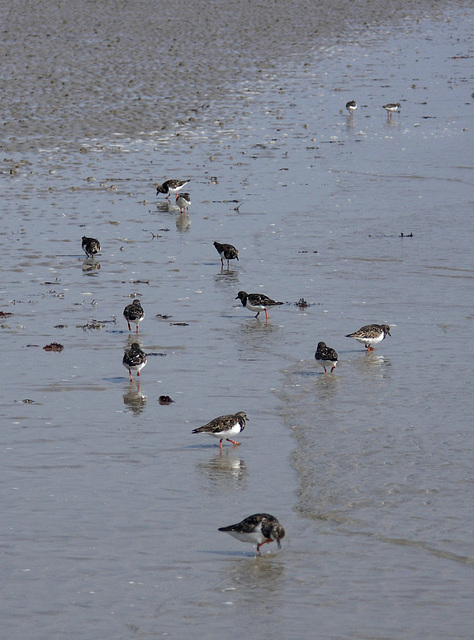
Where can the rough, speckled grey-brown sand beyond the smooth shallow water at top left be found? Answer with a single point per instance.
(78, 70)
